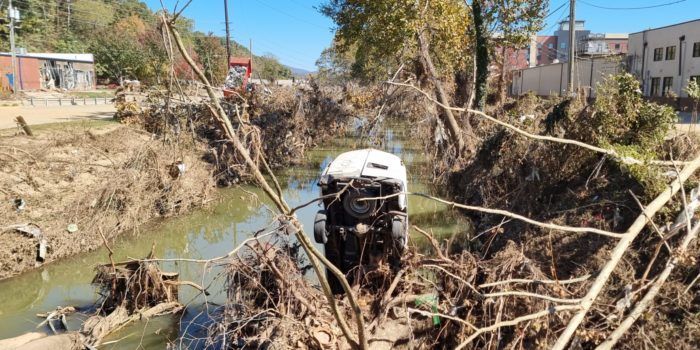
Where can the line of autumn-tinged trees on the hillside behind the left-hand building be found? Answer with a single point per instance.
(126, 39)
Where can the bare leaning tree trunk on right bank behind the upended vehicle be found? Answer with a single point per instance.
(447, 115)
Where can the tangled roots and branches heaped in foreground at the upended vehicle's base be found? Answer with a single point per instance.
(439, 299)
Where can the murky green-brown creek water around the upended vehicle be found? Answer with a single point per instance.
(201, 235)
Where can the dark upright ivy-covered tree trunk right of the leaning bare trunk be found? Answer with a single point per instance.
(482, 55)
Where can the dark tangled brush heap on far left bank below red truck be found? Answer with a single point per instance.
(280, 125)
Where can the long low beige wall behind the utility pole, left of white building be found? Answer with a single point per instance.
(552, 80)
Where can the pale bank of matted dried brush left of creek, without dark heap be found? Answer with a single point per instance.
(73, 181)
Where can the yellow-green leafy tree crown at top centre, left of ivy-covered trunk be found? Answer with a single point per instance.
(384, 33)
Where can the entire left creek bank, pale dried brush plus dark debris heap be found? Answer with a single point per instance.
(64, 188)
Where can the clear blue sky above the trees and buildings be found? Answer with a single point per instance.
(296, 33)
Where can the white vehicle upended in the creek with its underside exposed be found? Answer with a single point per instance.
(365, 217)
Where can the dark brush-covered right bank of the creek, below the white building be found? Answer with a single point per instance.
(569, 185)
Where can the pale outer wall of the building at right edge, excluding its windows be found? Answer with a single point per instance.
(642, 64)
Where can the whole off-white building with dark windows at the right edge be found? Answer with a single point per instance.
(665, 59)
